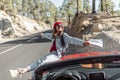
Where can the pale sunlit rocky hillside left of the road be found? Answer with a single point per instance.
(14, 26)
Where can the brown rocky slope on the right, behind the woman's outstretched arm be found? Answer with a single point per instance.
(97, 26)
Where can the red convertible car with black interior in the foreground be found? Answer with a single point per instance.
(83, 66)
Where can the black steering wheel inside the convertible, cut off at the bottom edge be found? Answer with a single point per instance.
(67, 75)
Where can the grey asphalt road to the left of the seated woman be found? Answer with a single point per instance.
(21, 53)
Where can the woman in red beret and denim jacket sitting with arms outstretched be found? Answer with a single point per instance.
(60, 41)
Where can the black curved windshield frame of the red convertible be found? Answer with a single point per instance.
(86, 60)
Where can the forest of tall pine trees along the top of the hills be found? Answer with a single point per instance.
(45, 10)
